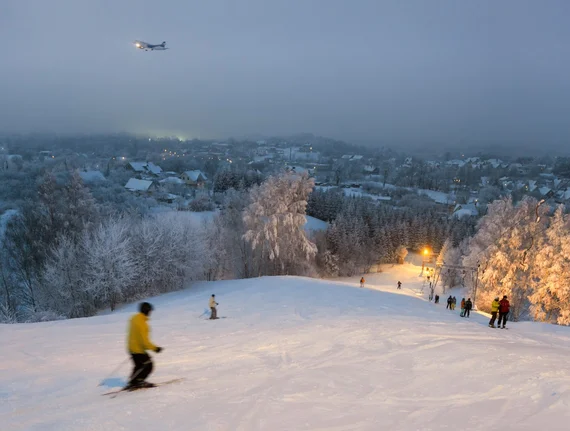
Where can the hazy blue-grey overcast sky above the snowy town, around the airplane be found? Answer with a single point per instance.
(402, 70)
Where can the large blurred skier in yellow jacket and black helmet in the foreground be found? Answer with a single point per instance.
(138, 344)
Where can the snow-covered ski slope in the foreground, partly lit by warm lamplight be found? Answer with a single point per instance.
(293, 354)
